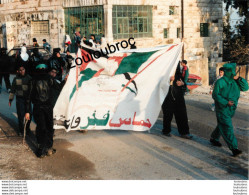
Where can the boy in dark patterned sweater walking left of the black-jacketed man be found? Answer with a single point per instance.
(20, 89)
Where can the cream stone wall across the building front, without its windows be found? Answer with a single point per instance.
(196, 48)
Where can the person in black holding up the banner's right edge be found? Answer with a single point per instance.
(174, 104)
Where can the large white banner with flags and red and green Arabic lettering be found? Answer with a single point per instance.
(124, 90)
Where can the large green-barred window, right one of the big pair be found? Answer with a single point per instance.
(131, 21)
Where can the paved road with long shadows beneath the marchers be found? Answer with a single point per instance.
(127, 154)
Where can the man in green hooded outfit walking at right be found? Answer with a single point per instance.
(226, 94)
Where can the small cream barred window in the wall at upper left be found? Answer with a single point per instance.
(40, 27)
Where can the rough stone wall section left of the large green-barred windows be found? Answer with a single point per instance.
(18, 15)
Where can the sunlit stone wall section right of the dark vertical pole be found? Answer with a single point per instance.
(197, 47)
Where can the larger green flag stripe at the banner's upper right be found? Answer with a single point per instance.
(133, 62)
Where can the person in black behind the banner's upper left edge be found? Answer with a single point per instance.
(57, 62)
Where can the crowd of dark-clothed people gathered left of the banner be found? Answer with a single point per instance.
(36, 86)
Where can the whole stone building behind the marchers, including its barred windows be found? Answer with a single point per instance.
(197, 23)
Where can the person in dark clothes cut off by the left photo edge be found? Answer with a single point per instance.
(4, 69)
